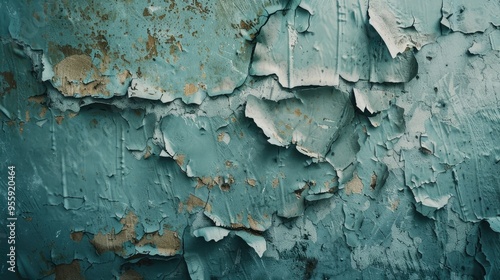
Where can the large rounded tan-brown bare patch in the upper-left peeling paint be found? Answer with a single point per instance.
(76, 75)
